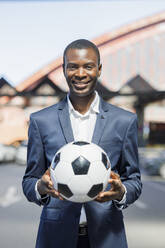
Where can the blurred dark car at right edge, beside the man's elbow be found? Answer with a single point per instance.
(152, 160)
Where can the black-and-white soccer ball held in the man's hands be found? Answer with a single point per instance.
(80, 170)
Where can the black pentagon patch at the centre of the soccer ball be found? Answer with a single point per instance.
(80, 166)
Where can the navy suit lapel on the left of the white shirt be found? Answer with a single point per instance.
(65, 121)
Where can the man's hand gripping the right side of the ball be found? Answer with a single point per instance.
(115, 193)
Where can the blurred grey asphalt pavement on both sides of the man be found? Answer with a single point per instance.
(19, 219)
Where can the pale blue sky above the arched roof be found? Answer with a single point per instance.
(34, 33)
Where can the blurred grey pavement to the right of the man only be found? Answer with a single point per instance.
(145, 219)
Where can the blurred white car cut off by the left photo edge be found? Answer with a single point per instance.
(7, 153)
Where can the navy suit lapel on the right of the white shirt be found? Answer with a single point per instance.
(100, 122)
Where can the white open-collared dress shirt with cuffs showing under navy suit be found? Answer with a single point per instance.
(83, 128)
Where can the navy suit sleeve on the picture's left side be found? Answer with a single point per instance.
(36, 164)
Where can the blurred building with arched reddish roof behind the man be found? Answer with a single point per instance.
(133, 78)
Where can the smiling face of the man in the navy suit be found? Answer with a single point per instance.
(81, 71)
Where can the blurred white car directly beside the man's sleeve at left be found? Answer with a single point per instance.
(21, 153)
